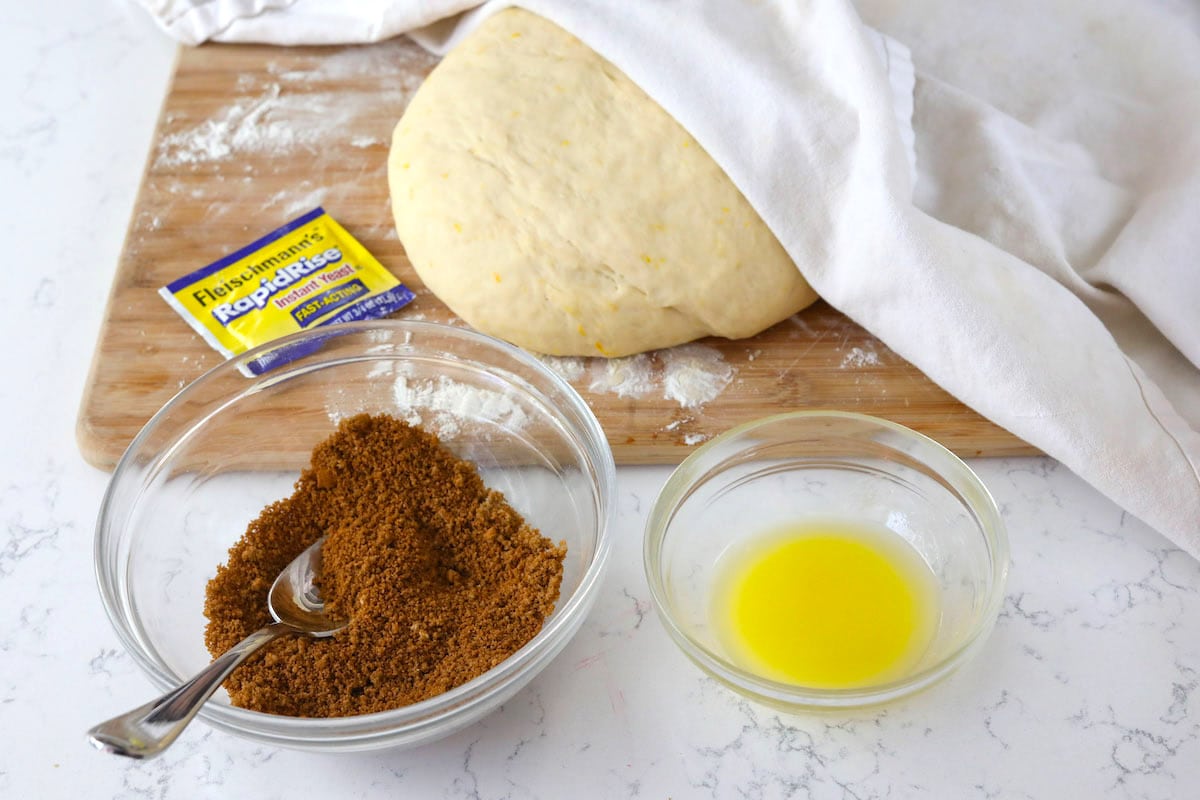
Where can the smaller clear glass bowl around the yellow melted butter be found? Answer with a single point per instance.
(826, 466)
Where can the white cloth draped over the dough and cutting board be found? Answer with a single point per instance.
(1043, 267)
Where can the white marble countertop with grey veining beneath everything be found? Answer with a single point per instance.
(1085, 690)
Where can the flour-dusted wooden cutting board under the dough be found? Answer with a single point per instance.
(251, 137)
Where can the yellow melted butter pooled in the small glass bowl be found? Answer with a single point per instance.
(826, 604)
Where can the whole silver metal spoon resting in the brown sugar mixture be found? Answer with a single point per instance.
(297, 607)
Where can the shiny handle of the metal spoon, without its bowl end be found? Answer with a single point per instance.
(149, 730)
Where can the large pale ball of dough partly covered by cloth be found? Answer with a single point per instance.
(549, 202)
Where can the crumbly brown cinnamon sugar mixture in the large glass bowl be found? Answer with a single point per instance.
(440, 578)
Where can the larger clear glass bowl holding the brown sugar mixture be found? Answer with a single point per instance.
(232, 443)
